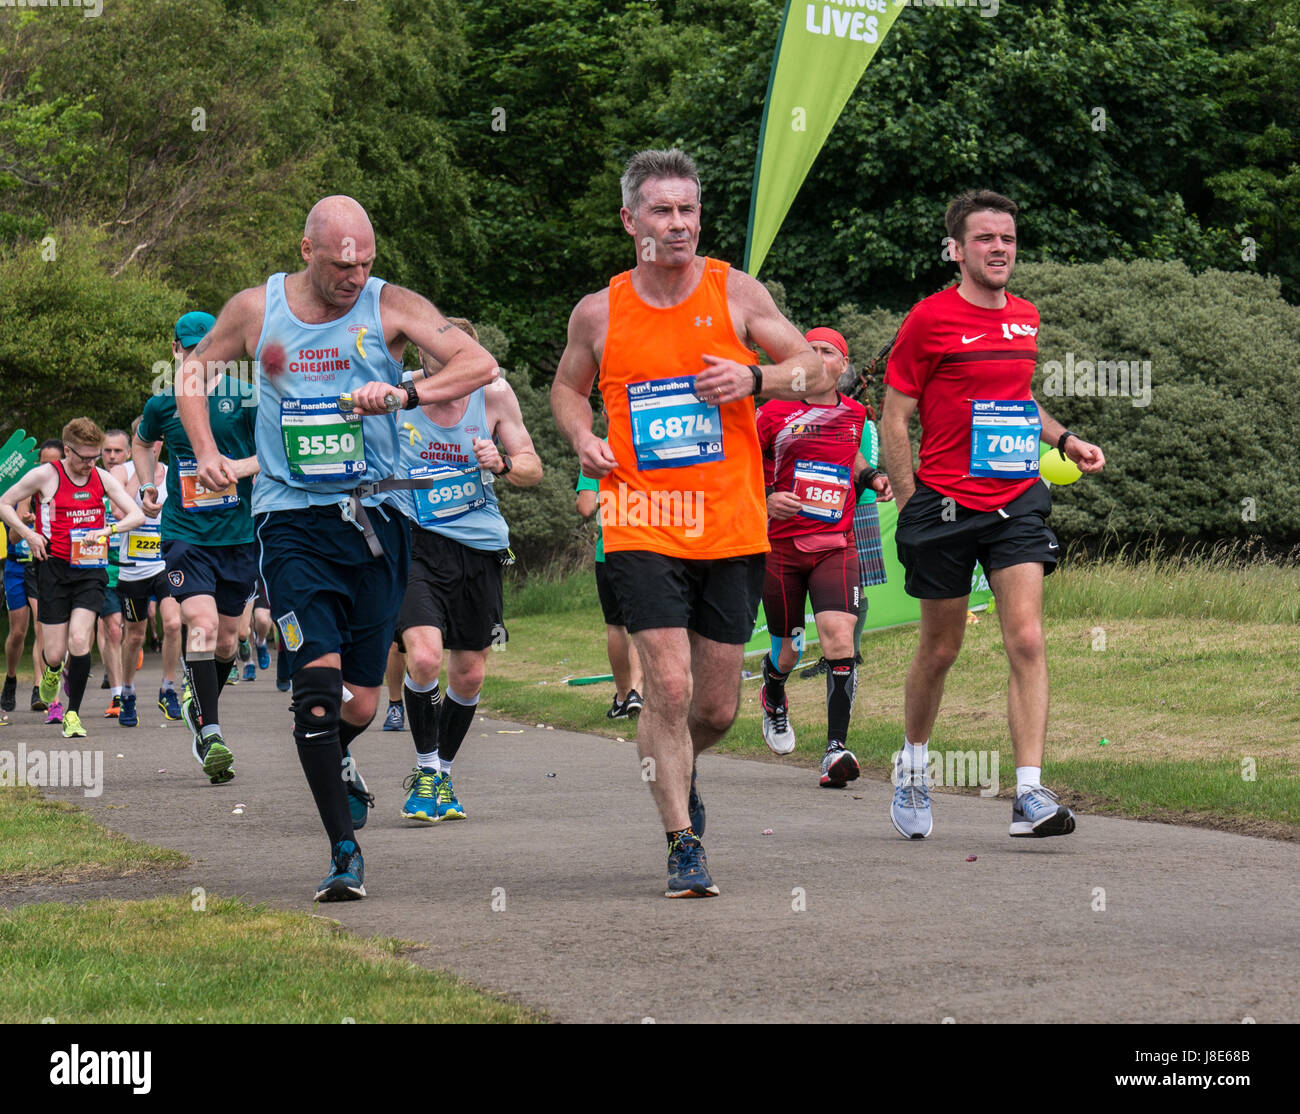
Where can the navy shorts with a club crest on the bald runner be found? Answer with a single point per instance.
(328, 595)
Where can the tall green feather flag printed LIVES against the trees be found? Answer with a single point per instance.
(822, 50)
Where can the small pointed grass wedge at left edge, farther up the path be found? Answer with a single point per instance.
(53, 842)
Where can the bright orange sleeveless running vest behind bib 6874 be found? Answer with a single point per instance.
(700, 512)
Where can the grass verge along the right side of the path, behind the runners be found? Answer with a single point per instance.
(1182, 690)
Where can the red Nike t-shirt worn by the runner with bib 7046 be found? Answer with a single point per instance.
(948, 354)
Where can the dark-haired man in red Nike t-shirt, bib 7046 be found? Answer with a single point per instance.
(963, 362)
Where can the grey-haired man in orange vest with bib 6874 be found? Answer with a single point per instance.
(683, 510)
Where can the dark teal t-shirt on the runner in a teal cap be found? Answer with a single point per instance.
(233, 419)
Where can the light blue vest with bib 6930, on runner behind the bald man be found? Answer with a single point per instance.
(462, 508)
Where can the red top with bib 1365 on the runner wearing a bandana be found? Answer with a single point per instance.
(811, 449)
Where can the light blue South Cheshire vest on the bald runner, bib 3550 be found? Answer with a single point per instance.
(323, 362)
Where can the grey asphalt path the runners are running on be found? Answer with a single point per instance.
(552, 892)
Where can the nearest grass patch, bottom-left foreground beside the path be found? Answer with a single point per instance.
(164, 961)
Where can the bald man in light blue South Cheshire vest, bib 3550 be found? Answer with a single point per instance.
(333, 545)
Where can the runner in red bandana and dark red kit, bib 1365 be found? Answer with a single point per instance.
(814, 474)
